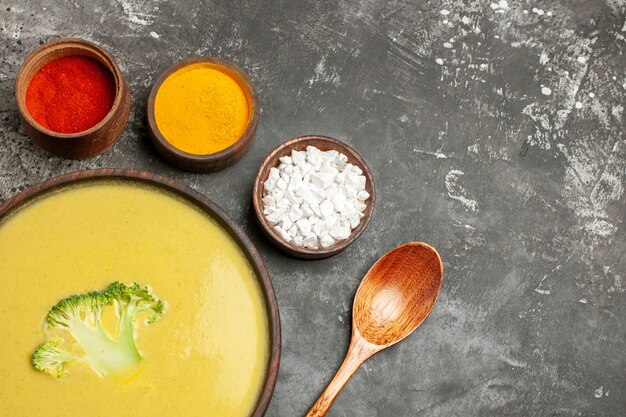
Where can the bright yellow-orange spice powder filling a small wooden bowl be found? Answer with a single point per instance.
(201, 110)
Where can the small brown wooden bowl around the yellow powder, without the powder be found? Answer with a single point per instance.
(214, 161)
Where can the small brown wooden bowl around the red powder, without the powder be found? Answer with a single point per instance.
(90, 142)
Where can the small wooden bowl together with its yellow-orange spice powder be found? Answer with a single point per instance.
(202, 114)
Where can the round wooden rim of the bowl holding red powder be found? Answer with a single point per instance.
(59, 44)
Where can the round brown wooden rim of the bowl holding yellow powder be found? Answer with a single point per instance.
(244, 140)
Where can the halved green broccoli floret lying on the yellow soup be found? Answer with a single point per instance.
(81, 317)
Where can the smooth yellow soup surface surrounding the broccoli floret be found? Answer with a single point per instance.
(206, 356)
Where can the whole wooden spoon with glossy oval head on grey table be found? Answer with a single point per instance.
(394, 298)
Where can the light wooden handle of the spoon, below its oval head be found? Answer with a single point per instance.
(358, 352)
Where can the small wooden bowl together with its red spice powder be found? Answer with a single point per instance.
(72, 98)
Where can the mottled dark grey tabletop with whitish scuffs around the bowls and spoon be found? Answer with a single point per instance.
(520, 187)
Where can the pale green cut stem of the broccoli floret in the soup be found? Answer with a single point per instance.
(105, 355)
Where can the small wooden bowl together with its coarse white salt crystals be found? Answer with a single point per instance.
(313, 196)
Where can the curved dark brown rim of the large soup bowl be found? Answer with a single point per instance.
(209, 207)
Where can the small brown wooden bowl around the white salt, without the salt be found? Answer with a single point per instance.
(300, 143)
